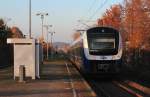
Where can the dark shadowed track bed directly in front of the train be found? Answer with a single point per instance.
(109, 89)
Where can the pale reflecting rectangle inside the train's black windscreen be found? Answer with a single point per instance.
(100, 44)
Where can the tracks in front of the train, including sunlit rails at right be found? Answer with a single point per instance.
(107, 88)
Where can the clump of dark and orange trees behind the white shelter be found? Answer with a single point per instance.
(6, 50)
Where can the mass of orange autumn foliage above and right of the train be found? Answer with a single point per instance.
(131, 20)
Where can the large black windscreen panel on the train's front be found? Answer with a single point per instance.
(103, 41)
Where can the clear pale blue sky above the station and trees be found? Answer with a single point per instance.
(63, 14)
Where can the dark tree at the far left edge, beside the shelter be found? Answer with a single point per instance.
(6, 52)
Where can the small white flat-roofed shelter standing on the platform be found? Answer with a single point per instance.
(26, 53)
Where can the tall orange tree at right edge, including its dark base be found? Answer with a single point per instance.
(136, 25)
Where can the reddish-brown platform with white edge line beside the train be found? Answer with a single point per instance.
(58, 79)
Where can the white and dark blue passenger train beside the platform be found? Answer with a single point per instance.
(98, 50)
